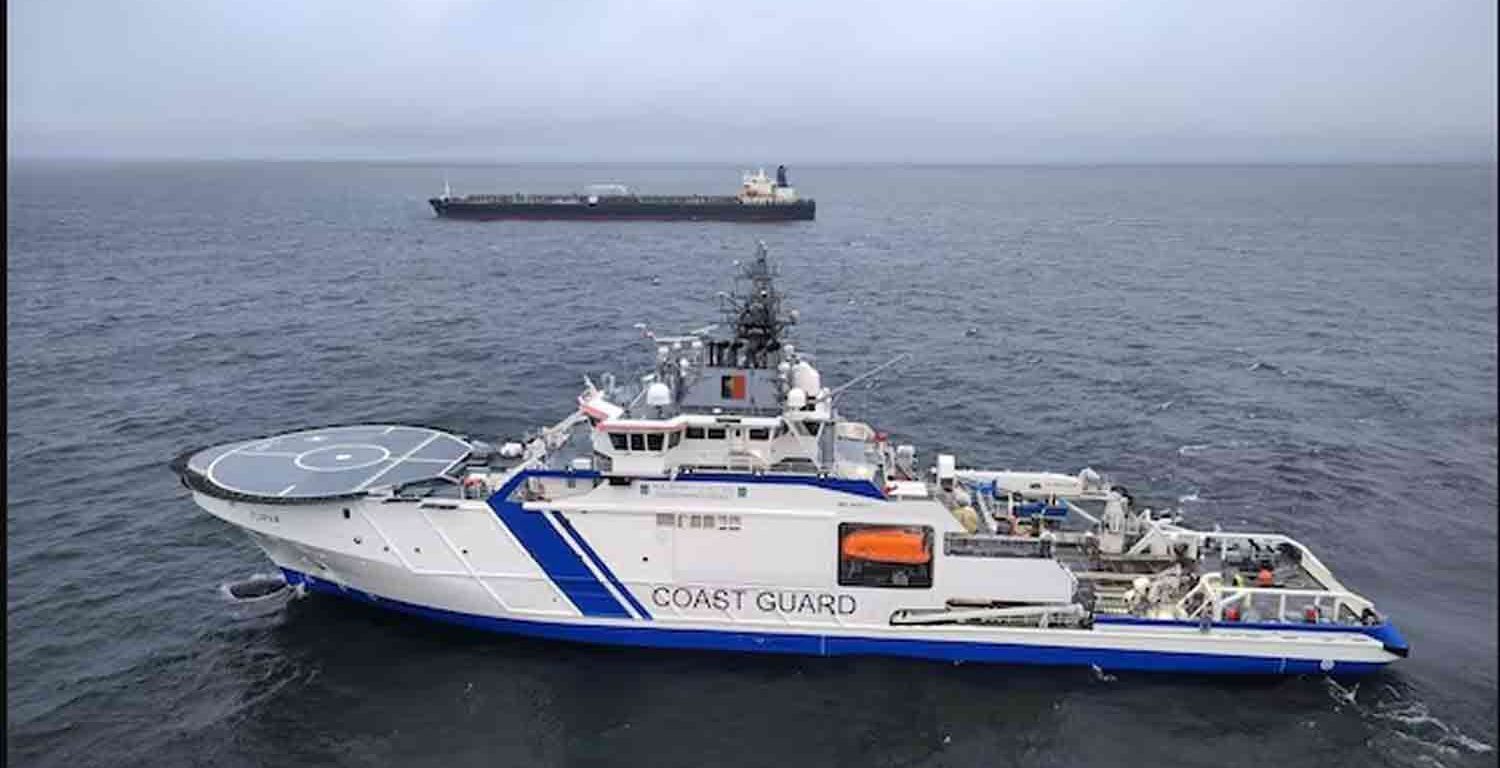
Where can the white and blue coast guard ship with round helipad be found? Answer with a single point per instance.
(725, 503)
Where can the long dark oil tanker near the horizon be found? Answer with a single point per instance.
(760, 200)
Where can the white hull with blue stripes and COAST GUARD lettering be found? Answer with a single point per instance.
(572, 578)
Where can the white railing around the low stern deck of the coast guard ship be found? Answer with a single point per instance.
(1270, 605)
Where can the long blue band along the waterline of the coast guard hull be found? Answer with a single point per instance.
(655, 637)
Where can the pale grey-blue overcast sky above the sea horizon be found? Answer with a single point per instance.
(781, 80)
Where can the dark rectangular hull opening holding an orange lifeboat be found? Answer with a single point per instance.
(886, 556)
